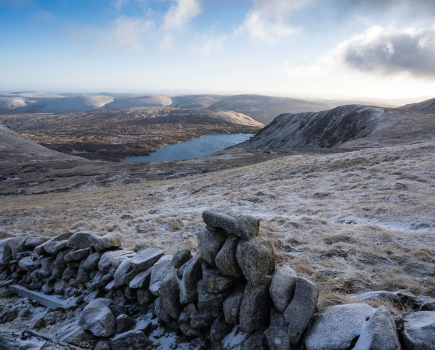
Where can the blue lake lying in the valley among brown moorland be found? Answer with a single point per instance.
(196, 148)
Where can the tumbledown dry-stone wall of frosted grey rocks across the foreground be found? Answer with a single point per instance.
(229, 292)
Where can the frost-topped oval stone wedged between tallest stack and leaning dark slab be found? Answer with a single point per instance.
(283, 286)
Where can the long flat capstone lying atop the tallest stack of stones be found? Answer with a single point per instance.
(243, 226)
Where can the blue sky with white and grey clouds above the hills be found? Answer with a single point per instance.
(313, 48)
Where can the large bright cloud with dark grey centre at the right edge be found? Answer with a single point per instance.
(378, 50)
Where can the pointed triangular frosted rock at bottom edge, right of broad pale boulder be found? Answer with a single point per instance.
(379, 332)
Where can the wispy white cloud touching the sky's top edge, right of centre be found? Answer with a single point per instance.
(266, 21)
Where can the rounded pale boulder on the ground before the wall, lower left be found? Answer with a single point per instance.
(98, 319)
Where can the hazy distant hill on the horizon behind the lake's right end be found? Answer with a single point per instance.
(266, 108)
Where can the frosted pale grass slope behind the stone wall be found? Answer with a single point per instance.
(351, 222)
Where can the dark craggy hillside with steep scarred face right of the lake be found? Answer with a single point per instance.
(350, 126)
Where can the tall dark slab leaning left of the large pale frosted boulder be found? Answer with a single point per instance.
(303, 306)
